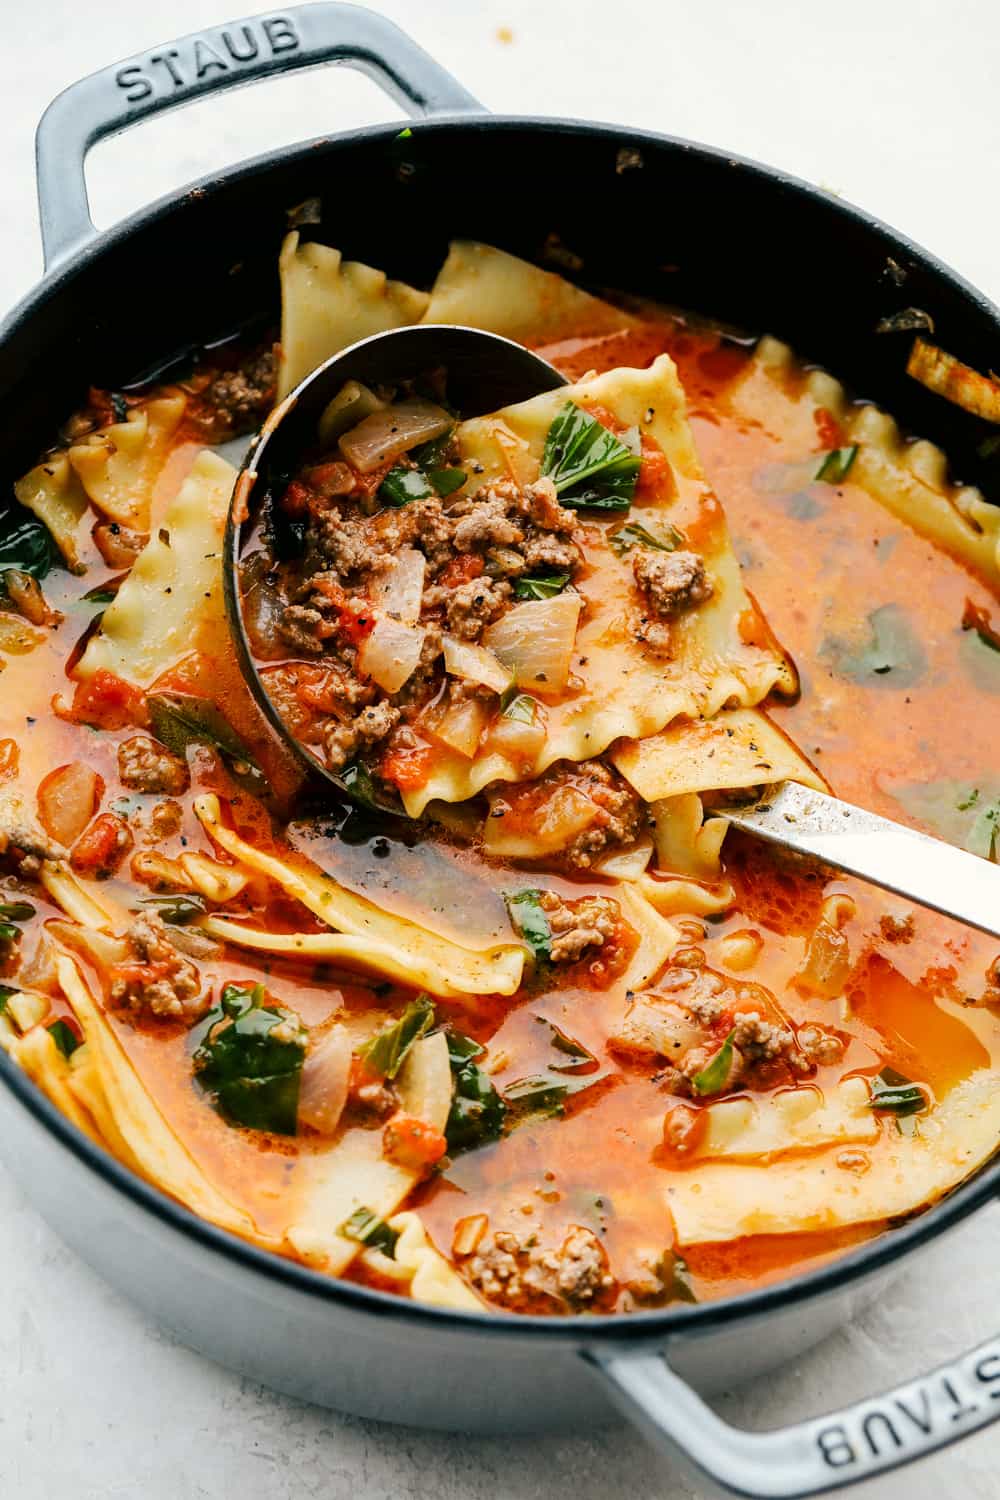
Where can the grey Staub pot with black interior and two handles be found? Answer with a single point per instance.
(746, 245)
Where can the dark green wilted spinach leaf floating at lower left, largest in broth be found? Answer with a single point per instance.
(253, 1075)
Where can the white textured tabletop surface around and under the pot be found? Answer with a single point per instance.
(893, 103)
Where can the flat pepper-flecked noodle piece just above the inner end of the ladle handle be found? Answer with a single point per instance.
(735, 751)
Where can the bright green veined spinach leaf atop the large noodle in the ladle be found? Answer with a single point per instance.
(591, 469)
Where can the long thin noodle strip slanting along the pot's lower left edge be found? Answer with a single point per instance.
(157, 1153)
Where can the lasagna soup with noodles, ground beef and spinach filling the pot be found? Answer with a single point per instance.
(515, 1022)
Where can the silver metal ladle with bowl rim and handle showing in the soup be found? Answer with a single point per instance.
(487, 373)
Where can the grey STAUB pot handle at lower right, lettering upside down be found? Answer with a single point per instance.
(813, 1457)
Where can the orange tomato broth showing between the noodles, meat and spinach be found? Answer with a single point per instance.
(818, 571)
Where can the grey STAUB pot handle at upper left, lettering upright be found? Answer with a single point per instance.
(208, 62)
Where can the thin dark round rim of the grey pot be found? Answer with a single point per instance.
(635, 1328)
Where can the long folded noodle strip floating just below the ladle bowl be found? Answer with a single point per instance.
(385, 943)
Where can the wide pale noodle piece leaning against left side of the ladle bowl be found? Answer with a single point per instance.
(172, 602)
